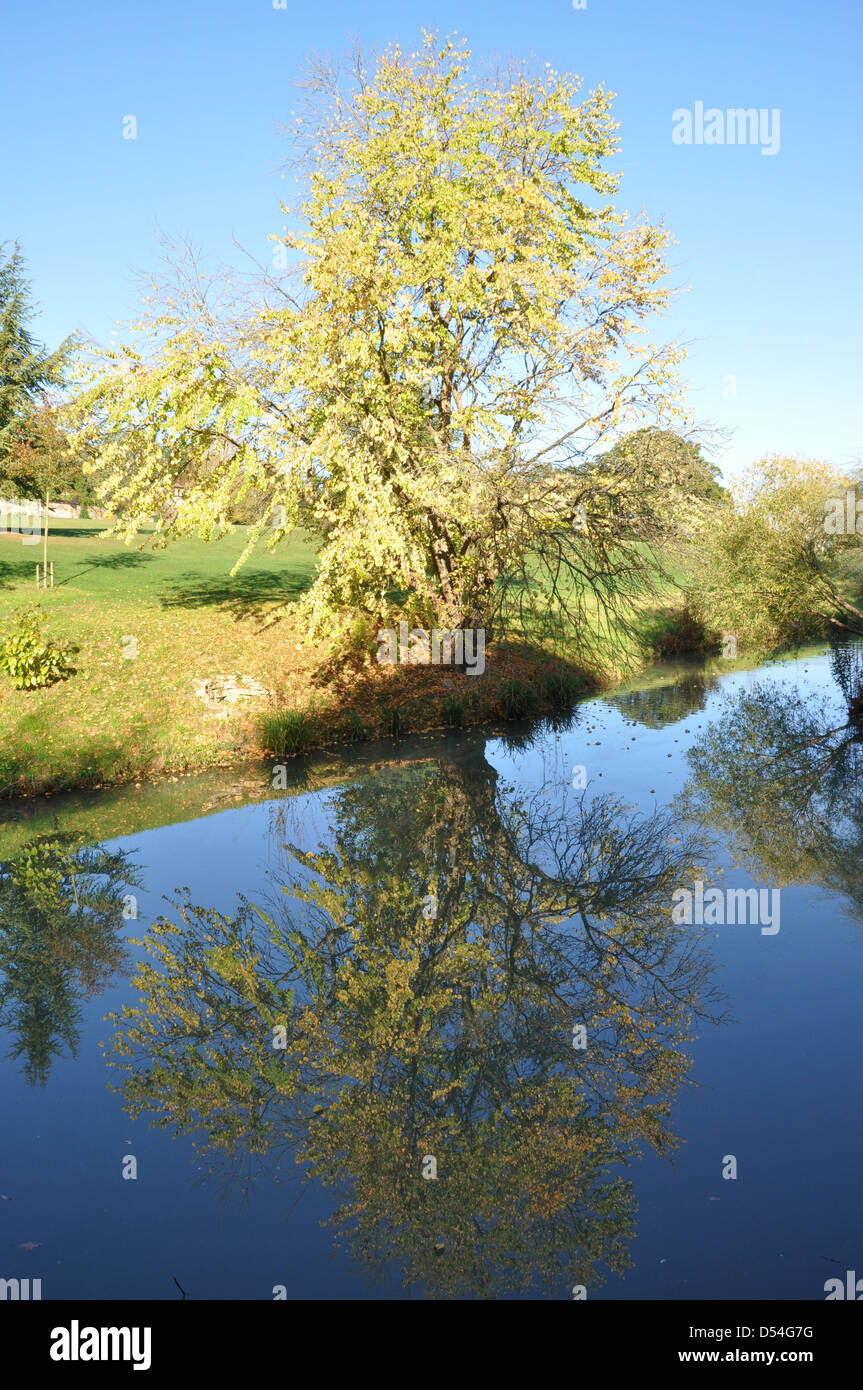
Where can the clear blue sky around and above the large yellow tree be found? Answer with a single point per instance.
(769, 245)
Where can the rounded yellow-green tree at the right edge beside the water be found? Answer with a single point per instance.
(773, 562)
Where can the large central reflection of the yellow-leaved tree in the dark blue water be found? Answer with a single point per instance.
(426, 975)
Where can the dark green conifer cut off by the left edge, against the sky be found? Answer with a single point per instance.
(27, 369)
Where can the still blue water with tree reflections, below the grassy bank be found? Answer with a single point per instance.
(387, 968)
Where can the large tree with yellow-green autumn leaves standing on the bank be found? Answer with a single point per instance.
(468, 330)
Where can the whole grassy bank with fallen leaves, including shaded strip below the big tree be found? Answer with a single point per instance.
(152, 628)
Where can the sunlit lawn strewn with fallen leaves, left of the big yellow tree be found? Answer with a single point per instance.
(184, 619)
